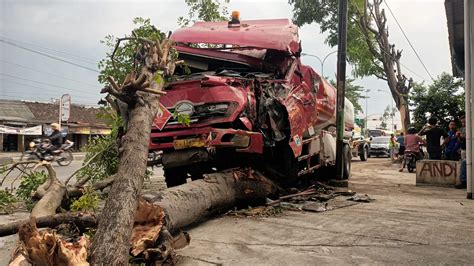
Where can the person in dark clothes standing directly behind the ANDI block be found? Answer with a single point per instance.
(433, 138)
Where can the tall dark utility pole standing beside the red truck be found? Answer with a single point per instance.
(341, 86)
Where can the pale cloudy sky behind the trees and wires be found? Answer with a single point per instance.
(72, 29)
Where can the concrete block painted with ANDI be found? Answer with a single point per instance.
(437, 172)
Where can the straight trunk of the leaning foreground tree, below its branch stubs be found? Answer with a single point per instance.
(112, 241)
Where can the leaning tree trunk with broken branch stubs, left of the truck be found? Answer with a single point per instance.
(112, 240)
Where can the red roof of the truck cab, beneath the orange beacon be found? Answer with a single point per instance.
(275, 34)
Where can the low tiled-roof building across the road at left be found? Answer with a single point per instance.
(22, 121)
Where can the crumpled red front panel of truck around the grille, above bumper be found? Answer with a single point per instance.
(210, 90)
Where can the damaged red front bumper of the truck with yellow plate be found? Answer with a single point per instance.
(241, 140)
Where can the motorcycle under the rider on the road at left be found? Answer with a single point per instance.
(39, 151)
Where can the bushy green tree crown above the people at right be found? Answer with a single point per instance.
(443, 99)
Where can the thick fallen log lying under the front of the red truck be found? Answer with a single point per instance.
(191, 202)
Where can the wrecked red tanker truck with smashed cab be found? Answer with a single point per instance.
(249, 101)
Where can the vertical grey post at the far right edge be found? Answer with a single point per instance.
(468, 75)
